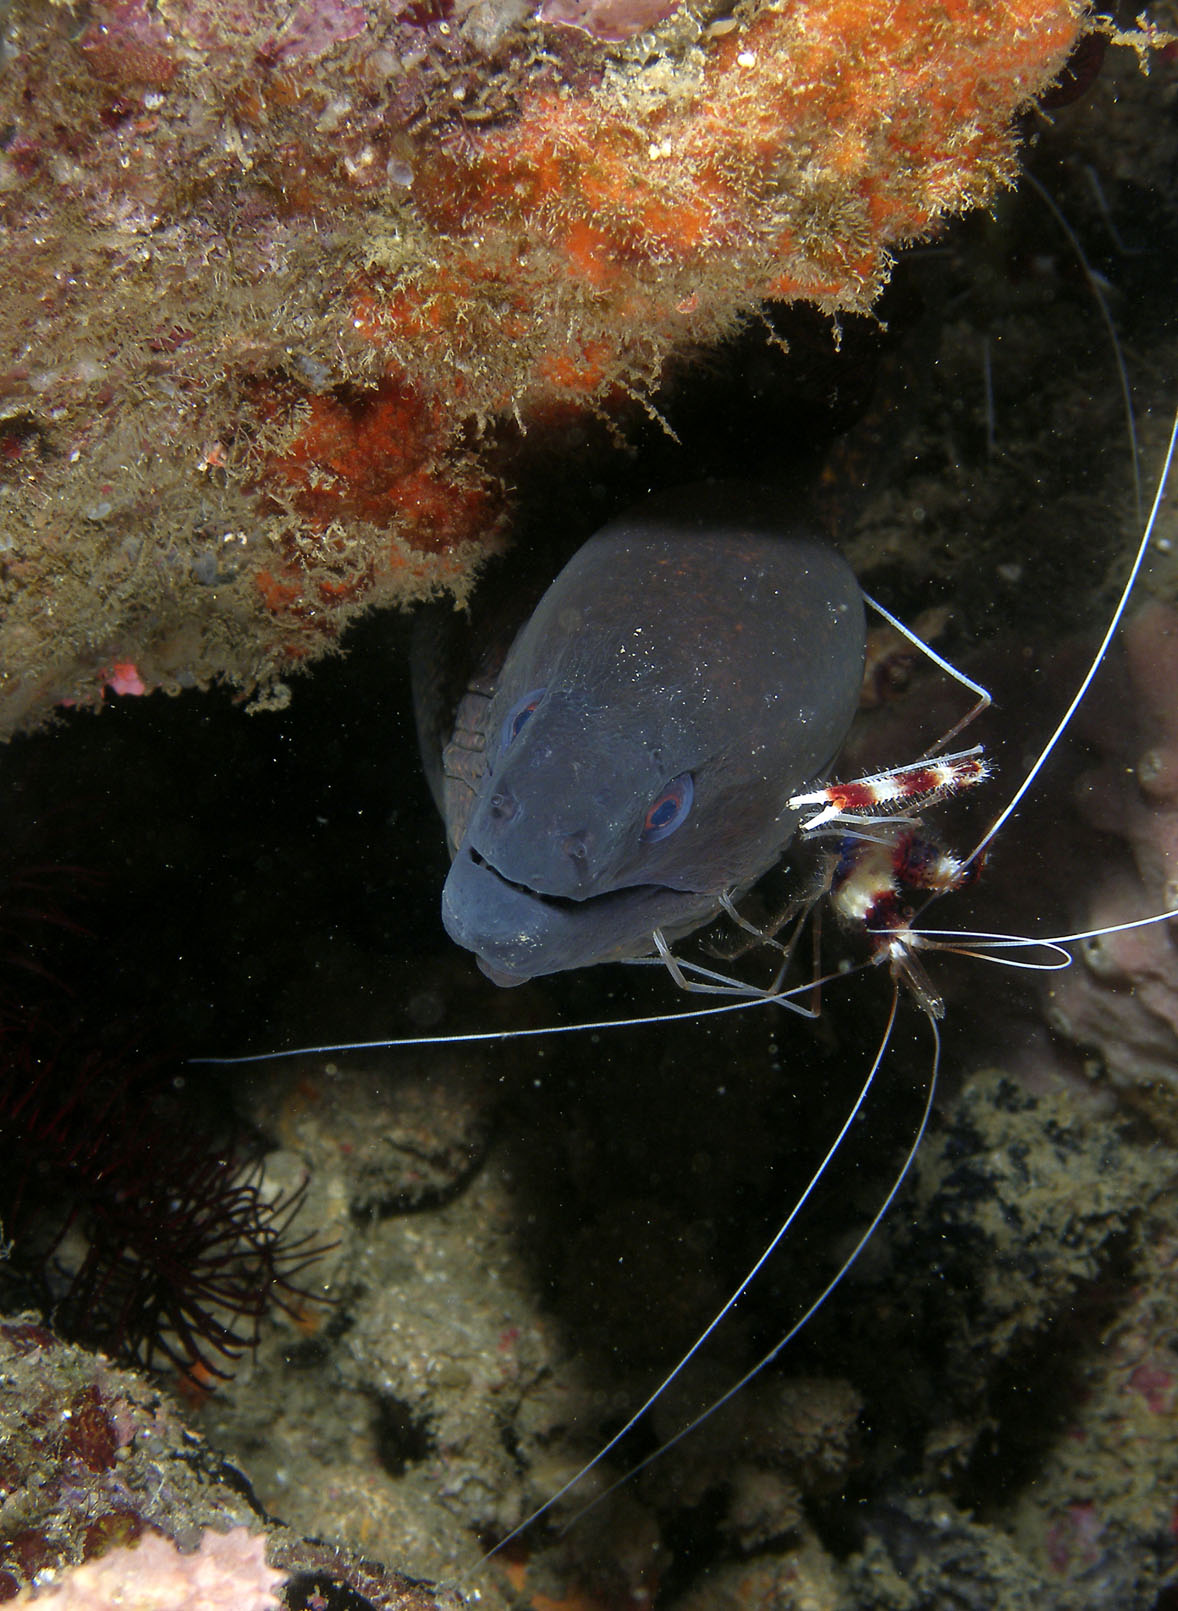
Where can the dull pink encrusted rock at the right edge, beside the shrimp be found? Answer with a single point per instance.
(1122, 996)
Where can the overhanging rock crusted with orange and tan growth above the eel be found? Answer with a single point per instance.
(284, 281)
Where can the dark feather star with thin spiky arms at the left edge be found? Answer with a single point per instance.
(127, 1224)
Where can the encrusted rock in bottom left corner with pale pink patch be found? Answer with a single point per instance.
(107, 1499)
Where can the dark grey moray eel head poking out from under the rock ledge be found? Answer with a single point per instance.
(692, 668)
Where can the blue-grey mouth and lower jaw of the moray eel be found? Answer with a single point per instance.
(520, 934)
